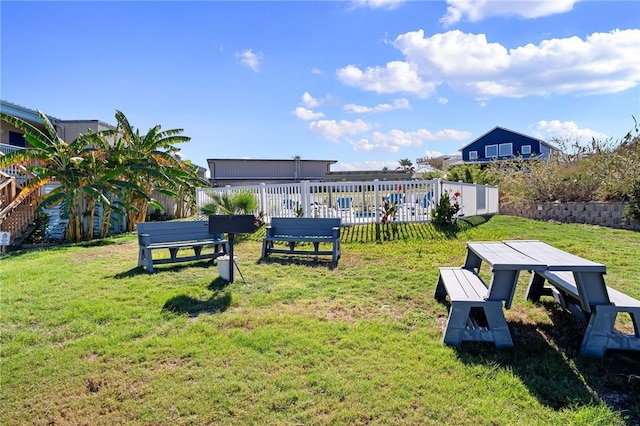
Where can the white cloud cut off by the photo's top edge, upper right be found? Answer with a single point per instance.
(477, 10)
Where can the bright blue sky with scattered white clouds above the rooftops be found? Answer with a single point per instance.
(365, 83)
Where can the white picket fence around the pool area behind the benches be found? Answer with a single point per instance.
(360, 202)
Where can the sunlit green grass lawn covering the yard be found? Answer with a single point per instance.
(88, 338)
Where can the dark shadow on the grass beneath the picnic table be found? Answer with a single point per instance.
(545, 357)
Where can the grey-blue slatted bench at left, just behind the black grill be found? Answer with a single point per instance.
(175, 236)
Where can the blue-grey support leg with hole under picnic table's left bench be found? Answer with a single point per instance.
(460, 327)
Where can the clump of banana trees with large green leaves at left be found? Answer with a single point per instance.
(116, 171)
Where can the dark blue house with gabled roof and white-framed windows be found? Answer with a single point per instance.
(504, 144)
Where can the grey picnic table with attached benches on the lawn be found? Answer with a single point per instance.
(575, 281)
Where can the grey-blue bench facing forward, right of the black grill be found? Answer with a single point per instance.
(294, 230)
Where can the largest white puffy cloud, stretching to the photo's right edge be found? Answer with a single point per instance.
(472, 65)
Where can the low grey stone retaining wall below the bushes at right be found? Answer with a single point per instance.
(602, 214)
